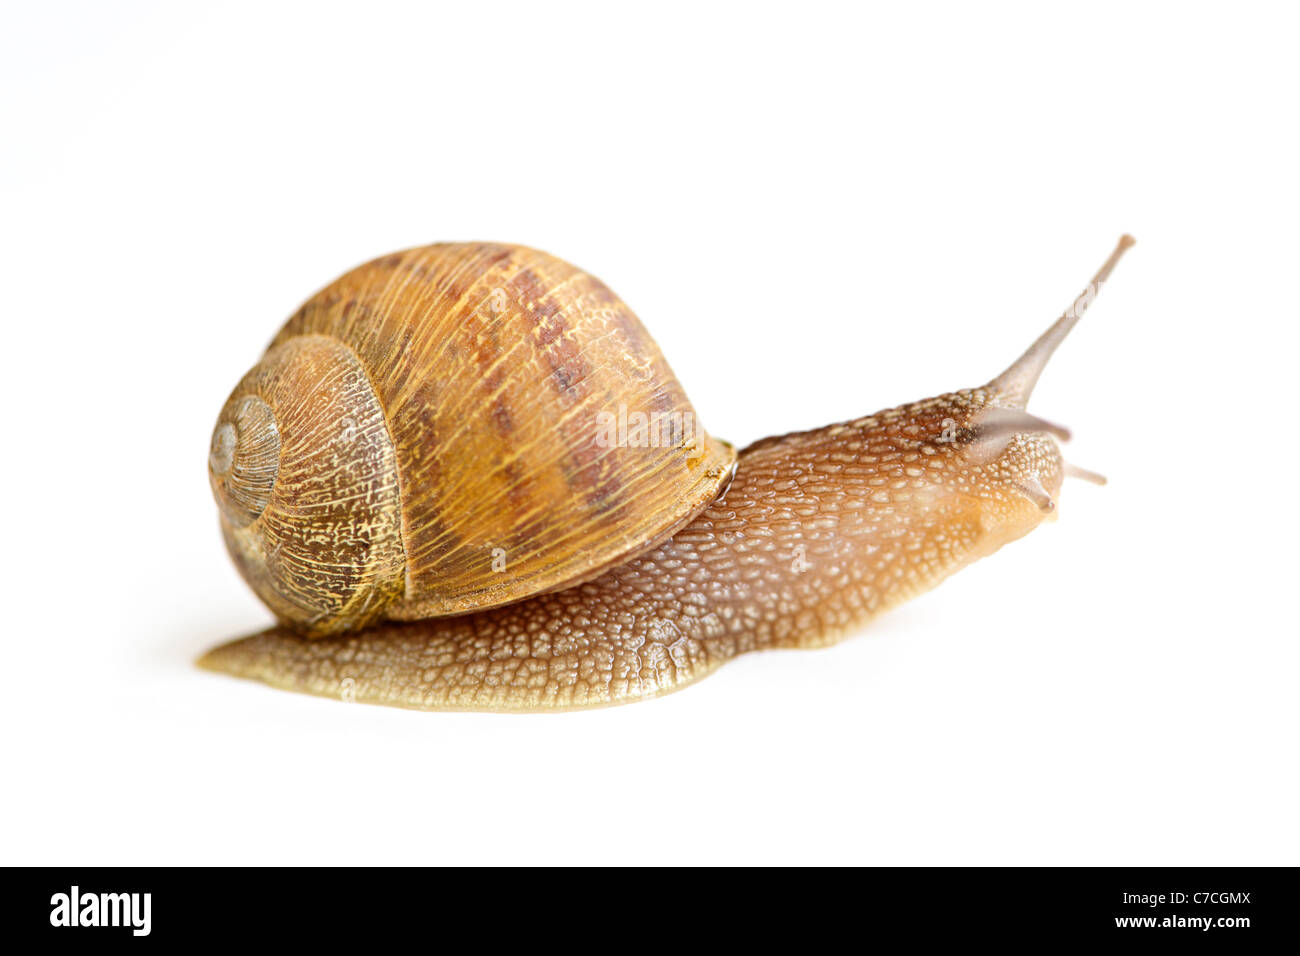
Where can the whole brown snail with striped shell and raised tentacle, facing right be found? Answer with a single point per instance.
(465, 478)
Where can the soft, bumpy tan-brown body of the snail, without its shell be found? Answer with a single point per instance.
(817, 534)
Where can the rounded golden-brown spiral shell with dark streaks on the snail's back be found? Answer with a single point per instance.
(454, 429)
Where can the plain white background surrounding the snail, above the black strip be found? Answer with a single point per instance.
(818, 211)
